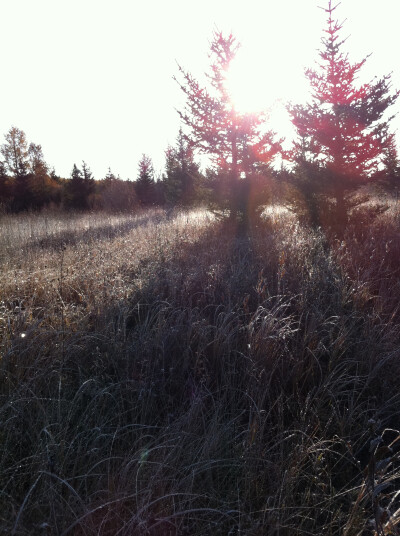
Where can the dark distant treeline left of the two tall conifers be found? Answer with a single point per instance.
(28, 183)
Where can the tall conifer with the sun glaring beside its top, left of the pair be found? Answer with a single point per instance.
(237, 143)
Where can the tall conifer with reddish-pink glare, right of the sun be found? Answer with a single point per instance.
(342, 135)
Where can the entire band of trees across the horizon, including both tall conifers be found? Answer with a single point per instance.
(343, 142)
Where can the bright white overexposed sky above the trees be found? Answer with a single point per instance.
(93, 80)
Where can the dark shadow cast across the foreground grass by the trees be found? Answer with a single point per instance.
(230, 394)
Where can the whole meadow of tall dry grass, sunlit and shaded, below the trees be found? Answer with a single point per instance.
(164, 374)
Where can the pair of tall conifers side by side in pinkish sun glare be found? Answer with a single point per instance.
(343, 142)
